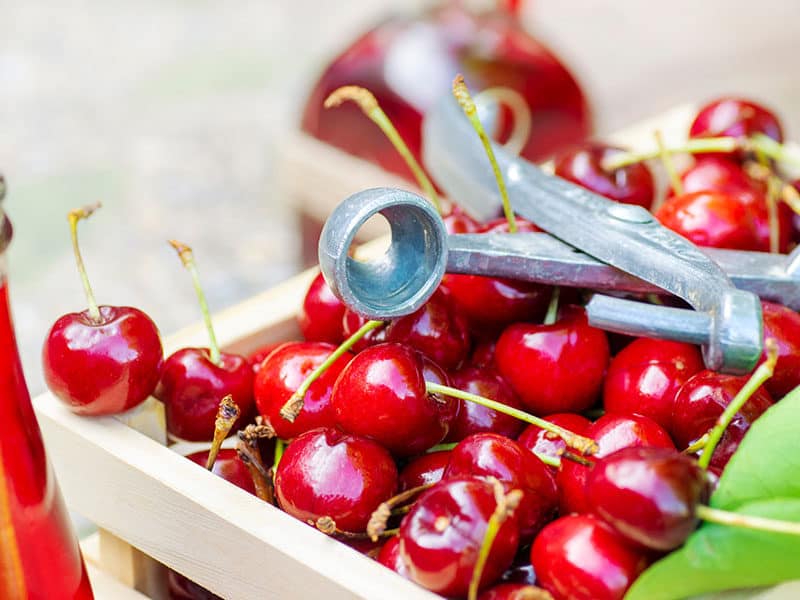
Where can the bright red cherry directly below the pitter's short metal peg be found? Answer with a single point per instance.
(647, 374)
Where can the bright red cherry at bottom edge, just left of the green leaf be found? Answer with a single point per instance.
(578, 557)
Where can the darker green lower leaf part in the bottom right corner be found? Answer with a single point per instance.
(721, 557)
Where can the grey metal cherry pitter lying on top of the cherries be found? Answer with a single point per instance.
(591, 243)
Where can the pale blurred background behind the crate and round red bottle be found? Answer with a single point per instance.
(174, 113)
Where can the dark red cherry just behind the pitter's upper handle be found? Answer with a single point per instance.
(632, 184)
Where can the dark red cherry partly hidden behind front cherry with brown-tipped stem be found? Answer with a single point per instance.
(492, 455)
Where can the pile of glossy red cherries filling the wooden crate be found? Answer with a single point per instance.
(416, 441)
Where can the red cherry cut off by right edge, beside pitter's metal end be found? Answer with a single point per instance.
(782, 325)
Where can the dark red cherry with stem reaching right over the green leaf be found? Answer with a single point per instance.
(648, 495)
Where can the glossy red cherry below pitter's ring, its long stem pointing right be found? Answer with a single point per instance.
(381, 395)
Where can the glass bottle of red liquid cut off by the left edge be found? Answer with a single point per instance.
(39, 553)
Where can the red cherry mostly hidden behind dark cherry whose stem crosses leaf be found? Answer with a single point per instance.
(611, 432)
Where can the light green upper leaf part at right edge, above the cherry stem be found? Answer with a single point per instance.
(767, 462)
